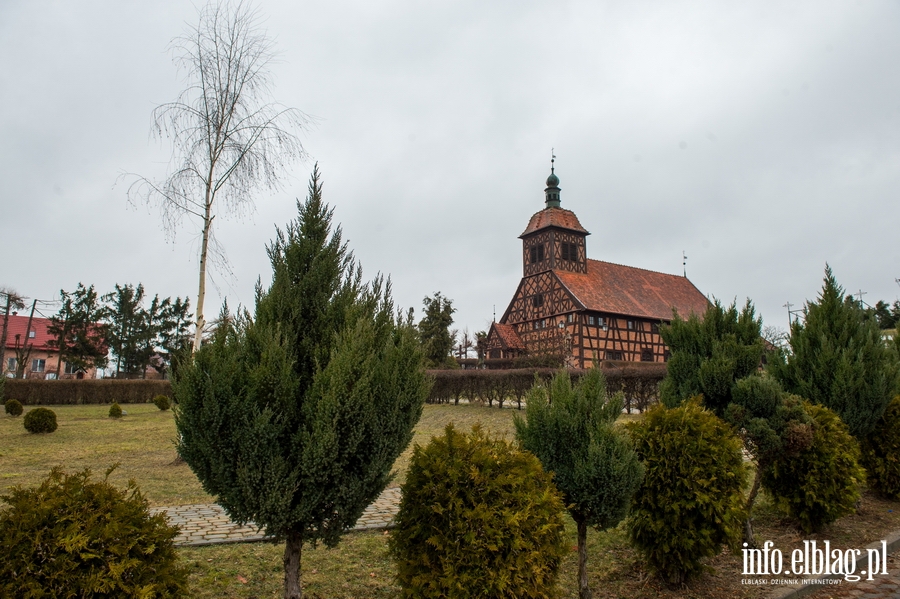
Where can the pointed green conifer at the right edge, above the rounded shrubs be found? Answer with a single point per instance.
(839, 360)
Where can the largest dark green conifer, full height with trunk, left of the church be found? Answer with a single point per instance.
(293, 417)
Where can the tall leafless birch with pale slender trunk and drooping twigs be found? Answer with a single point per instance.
(228, 137)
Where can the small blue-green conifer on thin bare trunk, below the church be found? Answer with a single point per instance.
(572, 432)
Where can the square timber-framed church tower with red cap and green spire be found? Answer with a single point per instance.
(554, 239)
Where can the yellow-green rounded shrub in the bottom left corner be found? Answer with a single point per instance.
(74, 537)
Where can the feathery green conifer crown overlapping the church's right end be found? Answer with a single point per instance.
(709, 355)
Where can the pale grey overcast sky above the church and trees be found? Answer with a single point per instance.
(760, 138)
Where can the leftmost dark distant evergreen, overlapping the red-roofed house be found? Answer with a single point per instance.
(77, 331)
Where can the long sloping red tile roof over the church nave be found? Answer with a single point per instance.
(630, 291)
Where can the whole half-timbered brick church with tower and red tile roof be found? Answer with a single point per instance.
(581, 309)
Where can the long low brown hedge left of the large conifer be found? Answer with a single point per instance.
(73, 391)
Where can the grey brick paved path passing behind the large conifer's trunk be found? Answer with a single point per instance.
(207, 523)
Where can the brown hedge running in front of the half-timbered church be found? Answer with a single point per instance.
(639, 381)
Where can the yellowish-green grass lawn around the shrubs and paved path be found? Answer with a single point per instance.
(142, 443)
